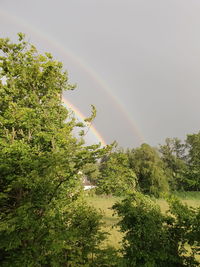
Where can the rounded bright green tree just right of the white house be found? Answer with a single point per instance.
(116, 177)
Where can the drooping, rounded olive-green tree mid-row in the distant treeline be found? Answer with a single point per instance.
(149, 170)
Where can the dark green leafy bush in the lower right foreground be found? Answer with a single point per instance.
(155, 239)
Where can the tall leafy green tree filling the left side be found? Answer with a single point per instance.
(39, 164)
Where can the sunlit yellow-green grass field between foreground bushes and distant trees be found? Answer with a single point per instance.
(104, 205)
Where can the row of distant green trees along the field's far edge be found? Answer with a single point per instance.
(172, 166)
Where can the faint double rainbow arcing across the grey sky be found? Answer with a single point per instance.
(66, 53)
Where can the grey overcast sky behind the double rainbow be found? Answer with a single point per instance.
(137, 61)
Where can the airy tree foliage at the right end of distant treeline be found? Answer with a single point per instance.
(182, 162)
